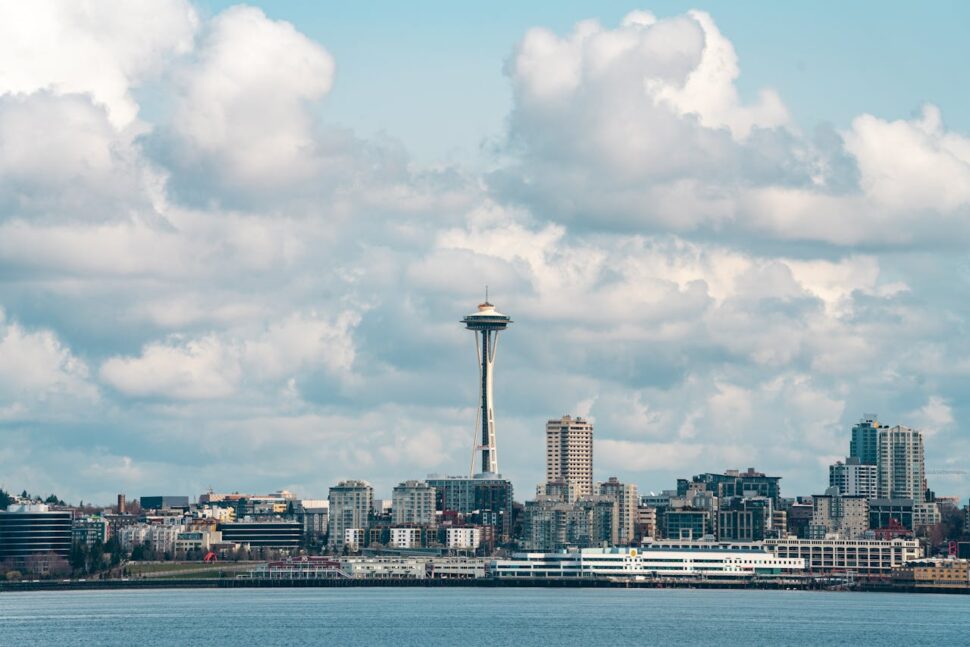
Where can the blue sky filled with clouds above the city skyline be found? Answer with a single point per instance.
(235, 241)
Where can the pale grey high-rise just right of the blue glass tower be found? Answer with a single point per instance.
(901, 472)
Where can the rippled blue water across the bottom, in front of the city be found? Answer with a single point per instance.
(471, 616)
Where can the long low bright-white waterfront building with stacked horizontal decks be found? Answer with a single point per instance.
(658, 559)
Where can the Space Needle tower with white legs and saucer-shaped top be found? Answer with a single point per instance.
(489, 322)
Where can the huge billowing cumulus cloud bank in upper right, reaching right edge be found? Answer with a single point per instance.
(642, 127)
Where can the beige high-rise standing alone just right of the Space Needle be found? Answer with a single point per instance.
(569, 453)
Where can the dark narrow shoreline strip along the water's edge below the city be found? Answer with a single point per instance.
(248, 583)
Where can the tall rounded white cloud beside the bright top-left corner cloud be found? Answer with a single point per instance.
(243, 110)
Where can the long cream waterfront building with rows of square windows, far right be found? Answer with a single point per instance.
(865, 557)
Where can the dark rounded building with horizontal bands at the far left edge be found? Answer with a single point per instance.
(34, 529)
